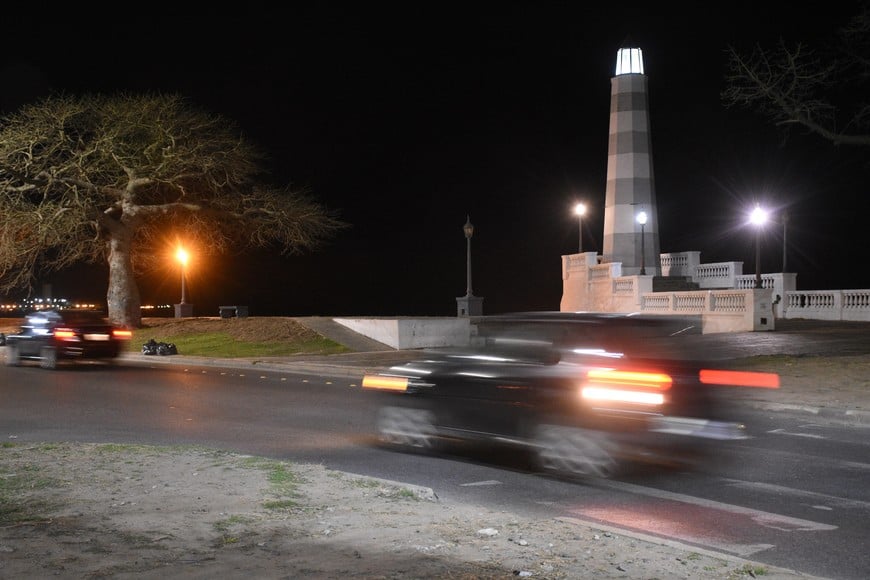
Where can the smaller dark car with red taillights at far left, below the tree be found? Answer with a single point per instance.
(53, 336)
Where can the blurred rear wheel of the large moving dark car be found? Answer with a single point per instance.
(575, 452)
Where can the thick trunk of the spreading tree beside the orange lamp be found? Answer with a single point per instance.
(123, 300)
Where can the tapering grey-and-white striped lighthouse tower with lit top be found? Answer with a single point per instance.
(630, 193)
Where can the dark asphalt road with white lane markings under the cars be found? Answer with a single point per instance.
(793, 496)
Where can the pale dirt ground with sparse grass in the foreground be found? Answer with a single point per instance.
(108, 511)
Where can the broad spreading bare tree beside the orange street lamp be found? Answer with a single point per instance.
(106, 178)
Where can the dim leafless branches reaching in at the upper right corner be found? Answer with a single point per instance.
(822, 90)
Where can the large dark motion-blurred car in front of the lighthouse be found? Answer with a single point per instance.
(587, 393)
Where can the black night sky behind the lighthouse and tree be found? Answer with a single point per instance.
(406, 118)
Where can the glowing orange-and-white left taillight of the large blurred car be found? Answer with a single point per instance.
(619, 386)
